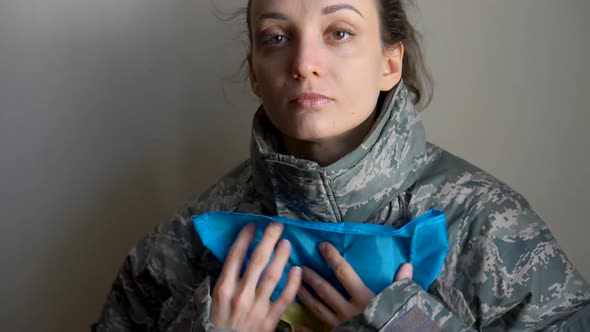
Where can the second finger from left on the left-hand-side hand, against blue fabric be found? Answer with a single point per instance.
(261, 255)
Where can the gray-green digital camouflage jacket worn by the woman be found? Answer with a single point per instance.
(504, 270)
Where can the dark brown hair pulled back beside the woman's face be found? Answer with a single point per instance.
(396, 28)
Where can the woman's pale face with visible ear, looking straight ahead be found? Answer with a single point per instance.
(319, 65)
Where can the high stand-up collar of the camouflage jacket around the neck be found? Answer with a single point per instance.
(356, 187)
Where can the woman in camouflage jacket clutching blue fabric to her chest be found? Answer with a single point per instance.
(337, 138)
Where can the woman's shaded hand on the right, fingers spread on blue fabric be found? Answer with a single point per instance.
(333, 308)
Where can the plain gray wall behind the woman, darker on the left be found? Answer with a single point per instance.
(112, 113)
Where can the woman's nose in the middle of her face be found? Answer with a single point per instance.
(307, 58)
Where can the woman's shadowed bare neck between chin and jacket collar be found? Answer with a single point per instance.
(328, 151)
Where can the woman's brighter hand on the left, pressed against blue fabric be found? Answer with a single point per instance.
(243, 304)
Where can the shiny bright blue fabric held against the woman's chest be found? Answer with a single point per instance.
(374, 251)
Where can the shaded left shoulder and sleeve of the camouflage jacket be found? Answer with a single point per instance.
(162, 271)
